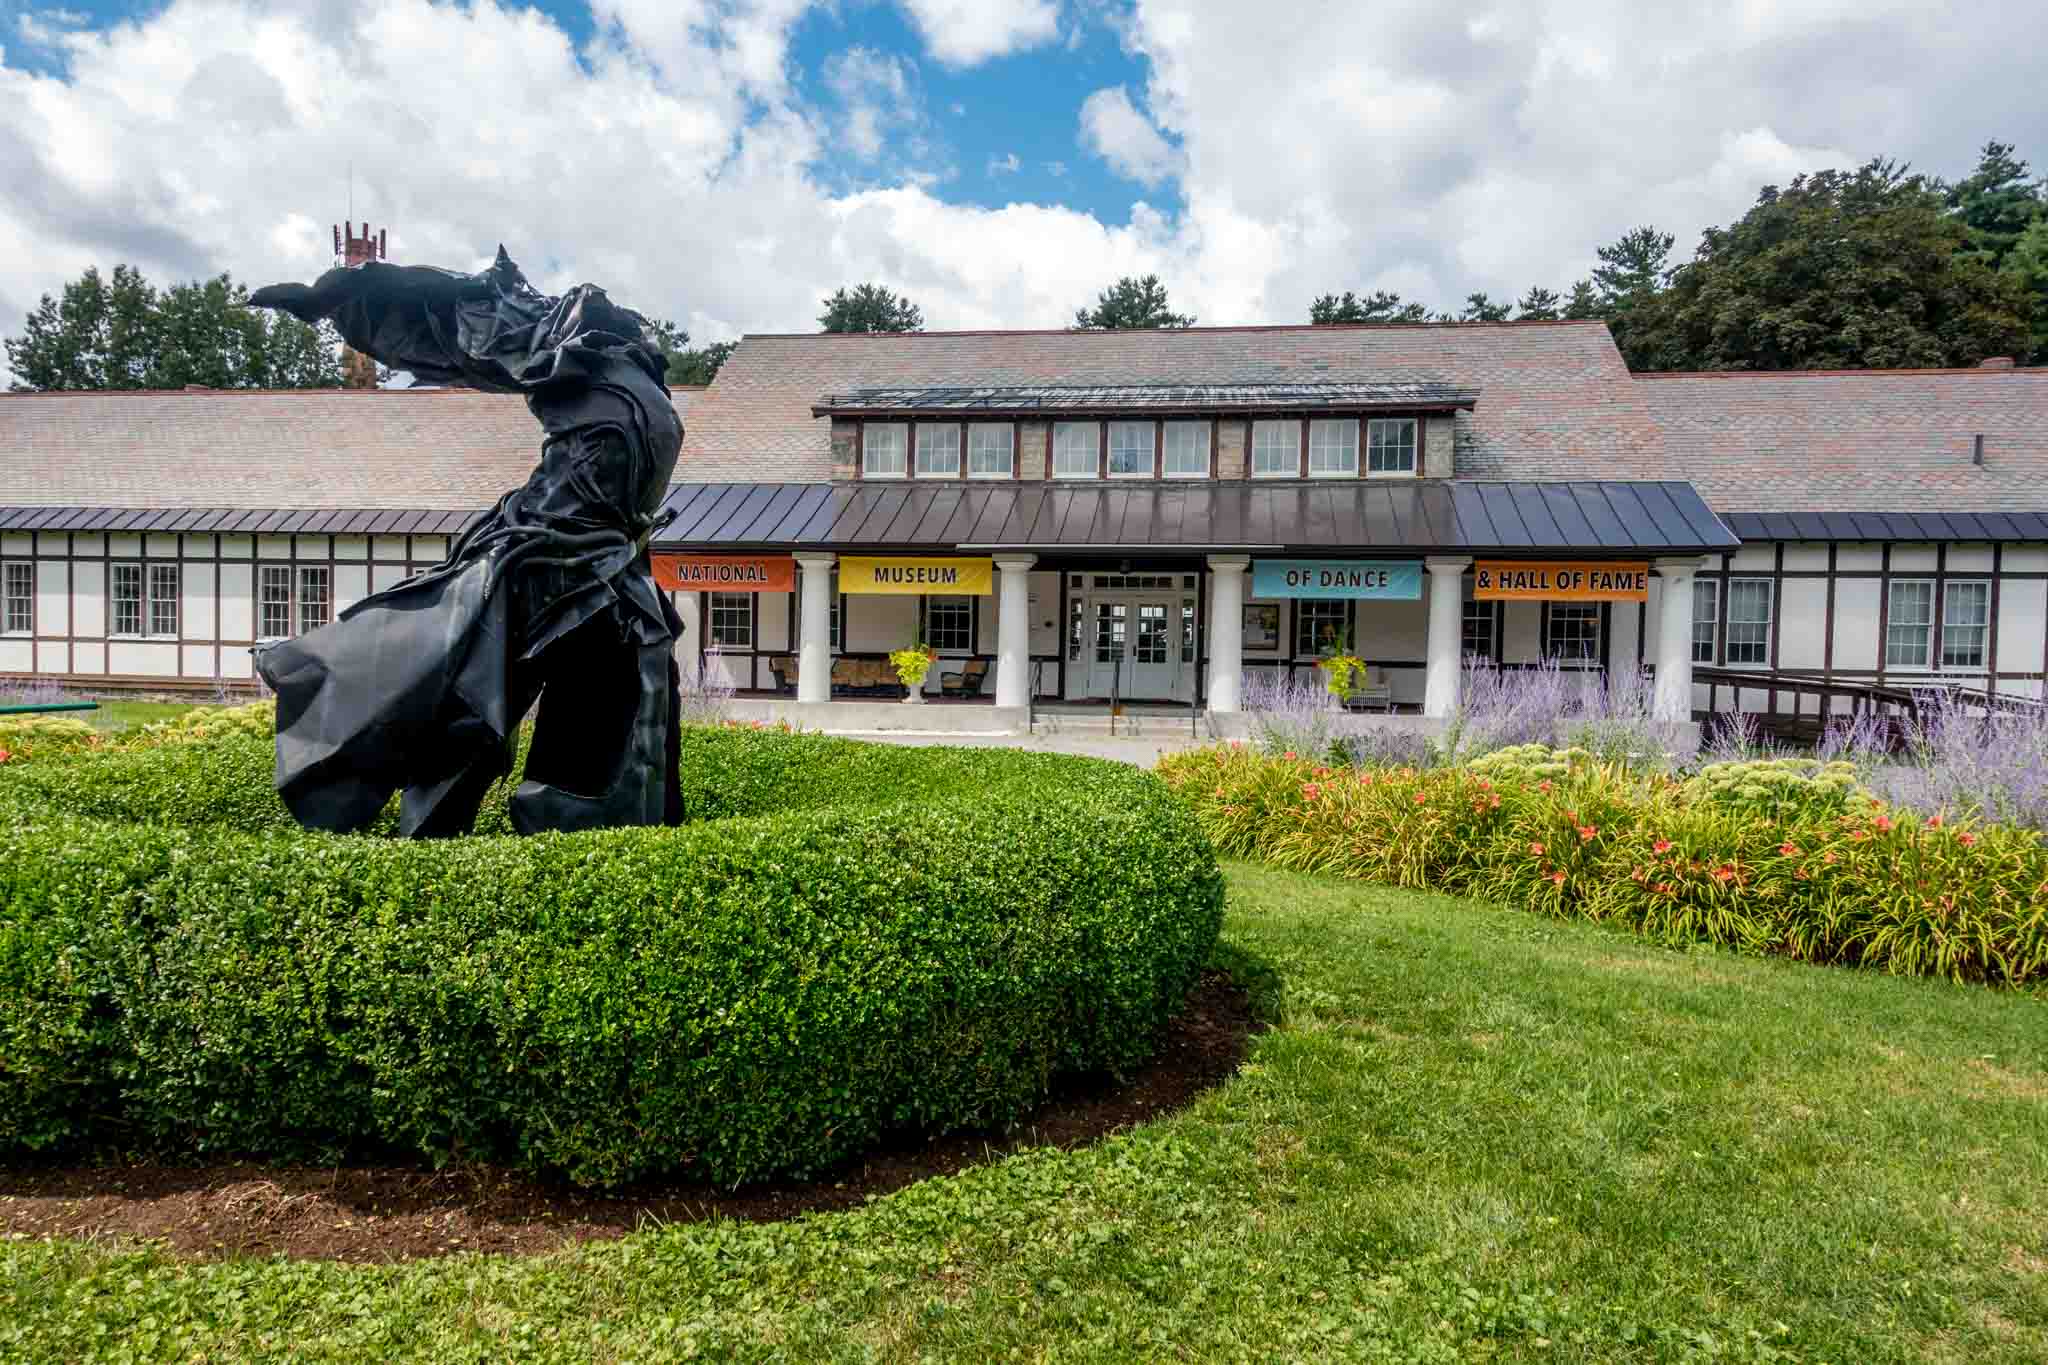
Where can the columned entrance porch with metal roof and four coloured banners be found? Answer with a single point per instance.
(1172, 597)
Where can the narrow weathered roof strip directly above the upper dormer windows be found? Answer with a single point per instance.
(1039, 400)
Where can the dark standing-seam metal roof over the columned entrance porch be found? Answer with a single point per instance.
(1418, 517)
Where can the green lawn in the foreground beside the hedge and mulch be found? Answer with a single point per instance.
(1476, 1137)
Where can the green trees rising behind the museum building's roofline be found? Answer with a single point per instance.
(1875, 267)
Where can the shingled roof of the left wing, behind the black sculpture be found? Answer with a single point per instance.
(316, 449)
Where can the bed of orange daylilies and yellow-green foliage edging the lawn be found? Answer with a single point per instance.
(1775, 856)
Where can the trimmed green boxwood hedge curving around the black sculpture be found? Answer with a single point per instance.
(849, 940)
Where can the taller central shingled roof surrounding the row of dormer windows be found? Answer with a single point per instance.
(1555, 400)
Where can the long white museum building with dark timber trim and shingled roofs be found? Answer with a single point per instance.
(1136, 517)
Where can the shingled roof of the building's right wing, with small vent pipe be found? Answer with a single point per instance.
(1859, 441)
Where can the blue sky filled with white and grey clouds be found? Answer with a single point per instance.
(732, 163)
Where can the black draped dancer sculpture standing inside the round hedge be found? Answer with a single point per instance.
(548, 599)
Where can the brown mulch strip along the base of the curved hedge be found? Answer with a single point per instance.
(376, 1215)
